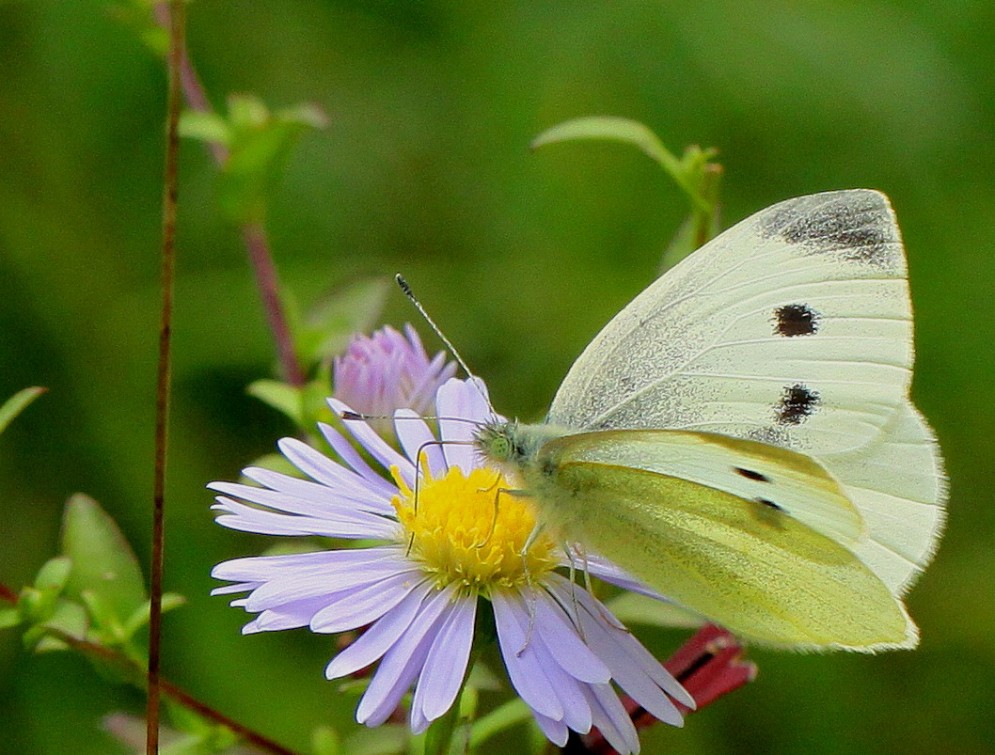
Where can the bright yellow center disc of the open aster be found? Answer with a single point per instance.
(467, 530)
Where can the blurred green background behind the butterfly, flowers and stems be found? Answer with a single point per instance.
(521, 257)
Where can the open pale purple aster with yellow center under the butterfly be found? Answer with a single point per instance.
(416, 589)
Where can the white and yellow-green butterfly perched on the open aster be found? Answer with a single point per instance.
(740, 437)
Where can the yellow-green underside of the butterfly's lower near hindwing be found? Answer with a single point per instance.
(752, 568)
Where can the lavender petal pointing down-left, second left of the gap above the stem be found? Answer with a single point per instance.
(403, 661)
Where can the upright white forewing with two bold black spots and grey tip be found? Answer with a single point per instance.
(793, 327)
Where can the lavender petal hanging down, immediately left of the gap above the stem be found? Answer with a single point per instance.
(442, 675)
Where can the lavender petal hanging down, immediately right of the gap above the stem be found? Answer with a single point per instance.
(524, 670)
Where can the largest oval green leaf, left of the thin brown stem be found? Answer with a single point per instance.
(103, 562)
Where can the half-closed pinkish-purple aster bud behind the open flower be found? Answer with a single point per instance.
(389, 370)
